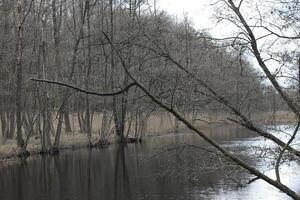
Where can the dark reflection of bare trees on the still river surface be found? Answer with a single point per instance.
(120, 172)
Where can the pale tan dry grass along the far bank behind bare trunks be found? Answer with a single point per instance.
(158, 124)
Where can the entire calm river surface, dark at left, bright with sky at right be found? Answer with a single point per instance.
(155, 170)
